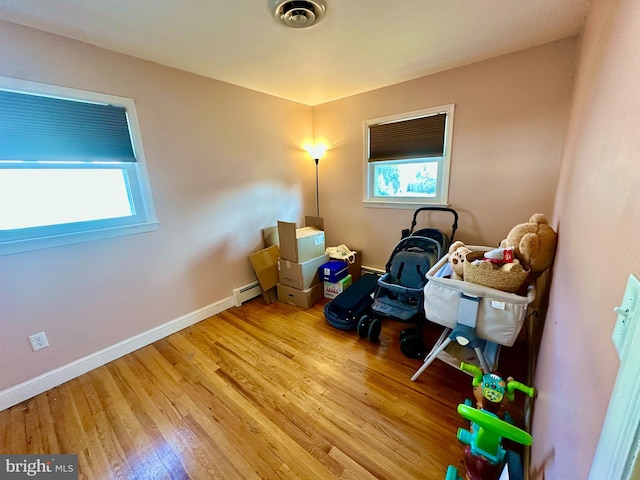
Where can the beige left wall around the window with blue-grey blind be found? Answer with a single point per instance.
(223, 163)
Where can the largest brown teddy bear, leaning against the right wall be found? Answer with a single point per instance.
(534, 244)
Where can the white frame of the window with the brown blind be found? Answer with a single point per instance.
(410, 202)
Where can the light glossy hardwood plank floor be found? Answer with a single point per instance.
(256, 392)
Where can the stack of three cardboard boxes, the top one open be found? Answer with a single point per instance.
(301, 255)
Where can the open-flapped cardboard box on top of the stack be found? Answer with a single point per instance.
(299, 245)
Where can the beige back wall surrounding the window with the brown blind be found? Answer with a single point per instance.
(509, 127)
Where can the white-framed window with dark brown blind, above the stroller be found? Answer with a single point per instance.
(408, 158)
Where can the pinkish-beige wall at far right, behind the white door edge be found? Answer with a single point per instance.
(597, 213)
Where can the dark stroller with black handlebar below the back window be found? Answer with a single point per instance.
(400, 291)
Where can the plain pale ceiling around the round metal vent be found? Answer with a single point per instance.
(360, 45)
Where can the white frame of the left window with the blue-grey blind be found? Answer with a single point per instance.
(144, 218)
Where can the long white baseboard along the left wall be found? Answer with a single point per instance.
(34, 386)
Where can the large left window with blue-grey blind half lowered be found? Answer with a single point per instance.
(71, 167)
